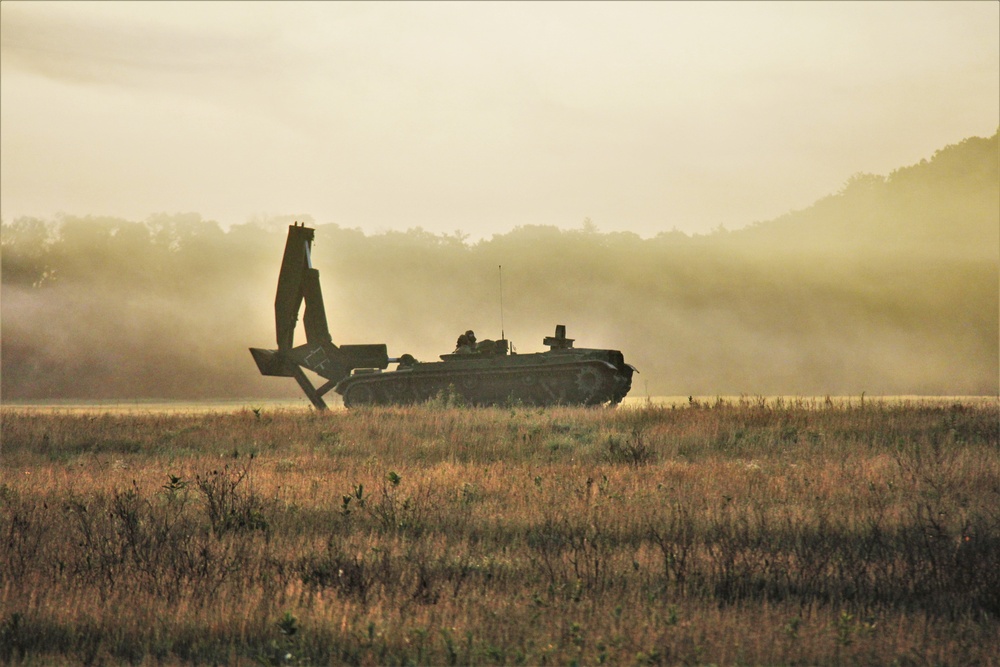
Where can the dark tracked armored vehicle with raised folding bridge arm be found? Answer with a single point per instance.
(481, 373)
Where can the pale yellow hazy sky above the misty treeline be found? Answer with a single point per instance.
(480, 116)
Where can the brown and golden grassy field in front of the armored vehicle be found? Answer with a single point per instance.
(753, 531)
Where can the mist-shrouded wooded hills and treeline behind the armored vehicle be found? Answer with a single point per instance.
(887, 287)
